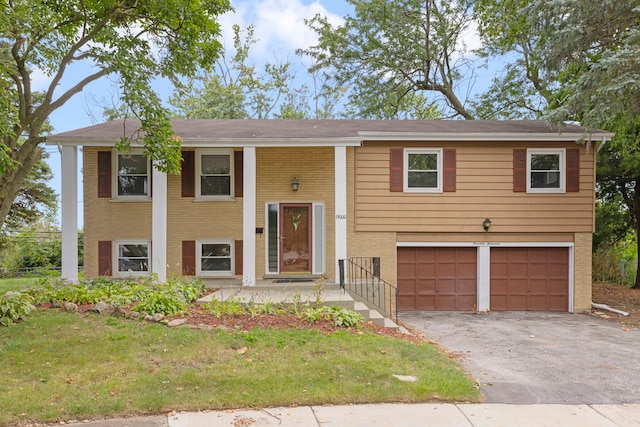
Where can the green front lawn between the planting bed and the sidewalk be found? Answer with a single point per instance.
(57, 366)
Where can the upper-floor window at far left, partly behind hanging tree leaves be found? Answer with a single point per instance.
(132, 175)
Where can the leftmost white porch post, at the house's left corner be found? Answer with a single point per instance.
(69, 195)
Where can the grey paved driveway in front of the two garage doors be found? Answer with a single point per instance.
(528, 358)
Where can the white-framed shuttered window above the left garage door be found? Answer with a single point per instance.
(423, 170)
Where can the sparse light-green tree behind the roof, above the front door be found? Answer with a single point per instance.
(236, 89)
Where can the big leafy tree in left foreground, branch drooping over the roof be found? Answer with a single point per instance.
(134, 41)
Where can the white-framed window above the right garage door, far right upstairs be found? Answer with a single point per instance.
(545, 171)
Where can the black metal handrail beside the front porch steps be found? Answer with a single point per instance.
(363, 279)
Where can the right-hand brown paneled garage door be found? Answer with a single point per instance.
(535, 279)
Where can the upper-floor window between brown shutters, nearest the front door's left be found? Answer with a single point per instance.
(215, 173)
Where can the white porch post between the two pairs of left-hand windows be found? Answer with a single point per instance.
(159, 225)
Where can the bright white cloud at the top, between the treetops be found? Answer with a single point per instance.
(279, 26)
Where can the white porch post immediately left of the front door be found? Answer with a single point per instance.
(249, 217)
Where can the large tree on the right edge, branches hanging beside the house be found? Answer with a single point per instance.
(600, 45)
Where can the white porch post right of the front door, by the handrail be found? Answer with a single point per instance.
(340, 176)
